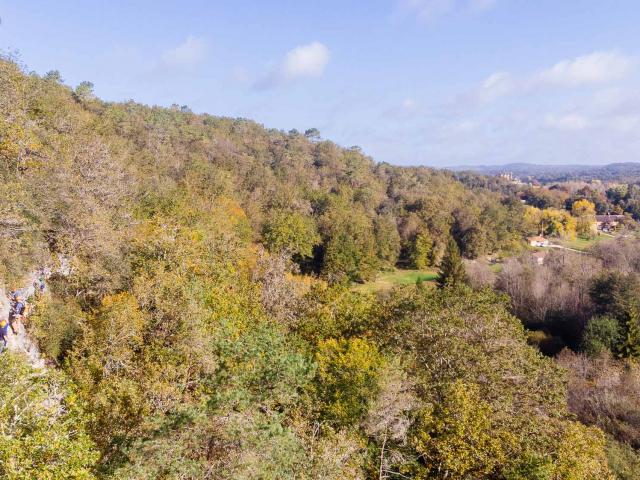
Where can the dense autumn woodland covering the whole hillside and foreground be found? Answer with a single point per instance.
(200, 321)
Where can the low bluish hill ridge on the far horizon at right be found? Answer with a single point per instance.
(549, 173)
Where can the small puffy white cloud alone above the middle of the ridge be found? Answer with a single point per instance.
(305, 61)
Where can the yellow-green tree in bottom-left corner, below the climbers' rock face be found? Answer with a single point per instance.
(42, 426)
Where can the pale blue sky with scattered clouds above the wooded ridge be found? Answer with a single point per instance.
(411, 82)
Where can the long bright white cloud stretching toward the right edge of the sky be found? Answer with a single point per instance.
(597, 68)
